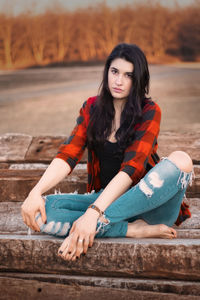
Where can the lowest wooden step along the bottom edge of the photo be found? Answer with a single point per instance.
(43, 286)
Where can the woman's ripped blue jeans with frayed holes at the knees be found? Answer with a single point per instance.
(156, 199)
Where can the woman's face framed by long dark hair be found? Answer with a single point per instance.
(120, 76)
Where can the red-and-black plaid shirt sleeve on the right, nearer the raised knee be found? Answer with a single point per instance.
(138, 154)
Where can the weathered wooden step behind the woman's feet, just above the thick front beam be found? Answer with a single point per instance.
(11, 220)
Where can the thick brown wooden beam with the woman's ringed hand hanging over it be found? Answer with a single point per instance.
(135, 258)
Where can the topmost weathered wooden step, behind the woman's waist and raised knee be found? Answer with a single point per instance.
(21, 147)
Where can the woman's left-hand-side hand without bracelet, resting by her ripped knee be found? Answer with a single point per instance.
(33, 204)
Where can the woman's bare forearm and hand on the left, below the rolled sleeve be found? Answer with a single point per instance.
(34, 203)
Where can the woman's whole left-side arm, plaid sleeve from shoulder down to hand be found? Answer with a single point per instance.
(69, 154)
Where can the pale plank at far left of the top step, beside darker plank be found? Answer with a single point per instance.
(13, 147)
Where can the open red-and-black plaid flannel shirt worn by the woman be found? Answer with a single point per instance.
(139, 157)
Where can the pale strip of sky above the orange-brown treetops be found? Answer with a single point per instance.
(38, 6)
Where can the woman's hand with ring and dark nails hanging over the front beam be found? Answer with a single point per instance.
(81, 236)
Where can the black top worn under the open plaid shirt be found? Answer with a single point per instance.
(110, 161)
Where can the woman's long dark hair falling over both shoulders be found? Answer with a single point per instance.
(100, 125)
